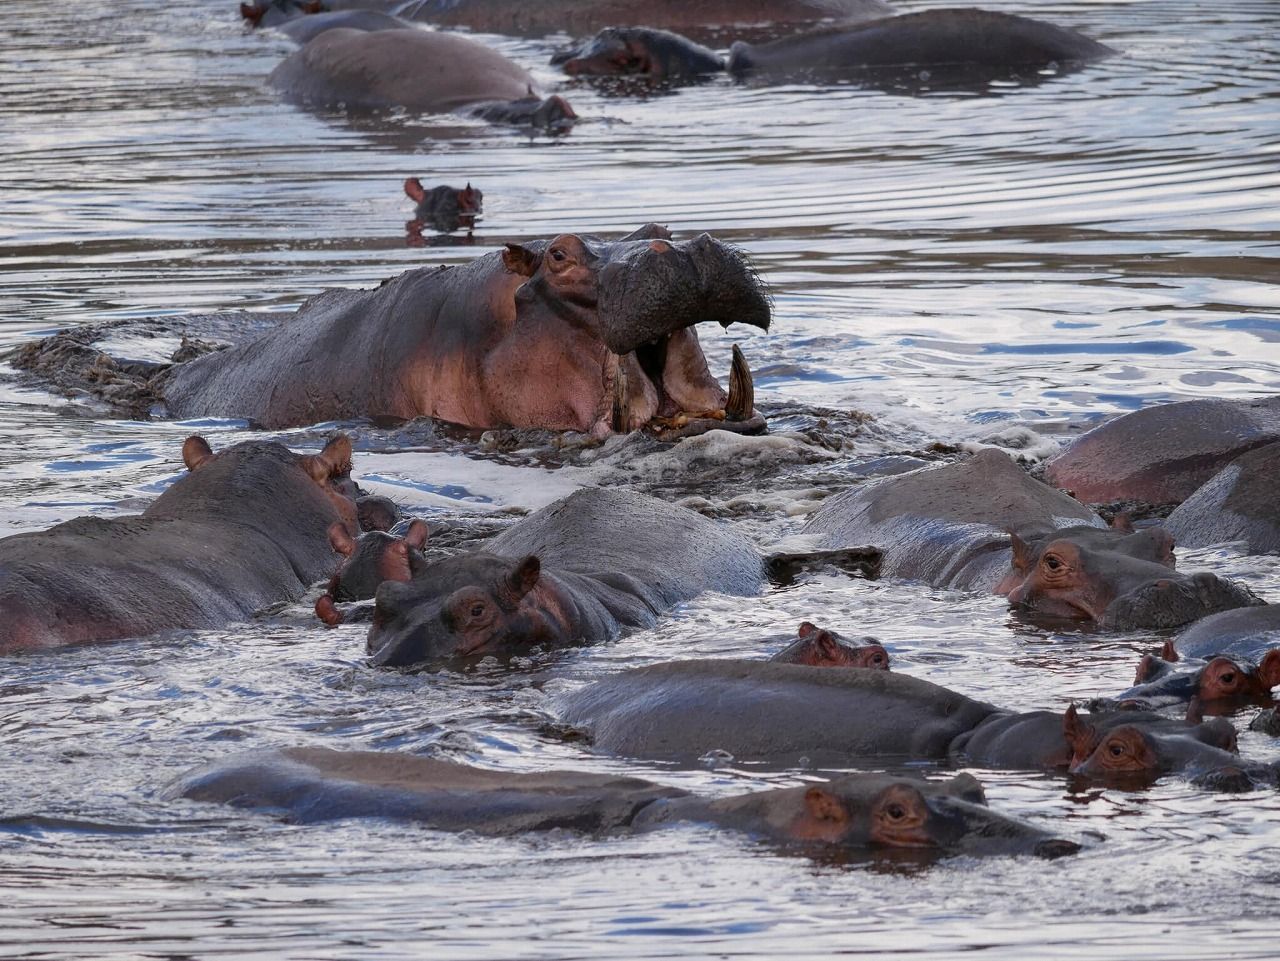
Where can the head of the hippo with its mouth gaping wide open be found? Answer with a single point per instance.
(639, 300)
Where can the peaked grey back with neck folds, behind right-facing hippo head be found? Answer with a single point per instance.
(948, 527)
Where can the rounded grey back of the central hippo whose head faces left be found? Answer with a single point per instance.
(673, 551)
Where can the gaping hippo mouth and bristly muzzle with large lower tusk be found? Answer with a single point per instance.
(656, 376)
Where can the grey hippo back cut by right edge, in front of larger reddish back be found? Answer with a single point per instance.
(1240, 504)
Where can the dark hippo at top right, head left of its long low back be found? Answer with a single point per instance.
(934, 39)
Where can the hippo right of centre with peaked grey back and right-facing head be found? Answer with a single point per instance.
(950, 527)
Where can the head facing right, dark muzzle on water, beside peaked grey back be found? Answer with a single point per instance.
(1117, 579)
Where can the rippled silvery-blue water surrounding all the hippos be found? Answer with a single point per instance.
(1005, 268)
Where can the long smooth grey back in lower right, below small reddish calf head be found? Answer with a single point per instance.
(770, 712)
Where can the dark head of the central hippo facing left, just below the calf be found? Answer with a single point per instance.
(472, 606)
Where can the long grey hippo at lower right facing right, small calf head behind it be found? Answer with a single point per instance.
(788, 715)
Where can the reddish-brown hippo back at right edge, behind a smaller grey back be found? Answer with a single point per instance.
(1162, 455)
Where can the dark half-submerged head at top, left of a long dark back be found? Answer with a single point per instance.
(627, 52)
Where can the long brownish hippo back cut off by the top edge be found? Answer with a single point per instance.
(582, 17)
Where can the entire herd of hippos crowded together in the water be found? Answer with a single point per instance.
(579, 335)
